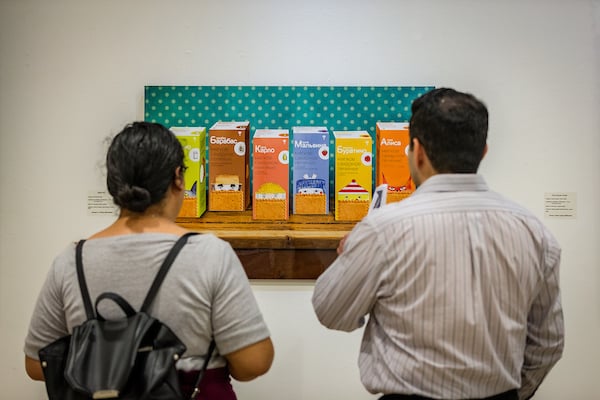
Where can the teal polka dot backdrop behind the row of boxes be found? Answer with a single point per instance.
(339, 108)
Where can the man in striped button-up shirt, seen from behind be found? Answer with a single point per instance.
(460, 284)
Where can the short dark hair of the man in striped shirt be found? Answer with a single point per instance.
(452, 127)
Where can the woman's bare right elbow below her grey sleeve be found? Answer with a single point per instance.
(251, 361)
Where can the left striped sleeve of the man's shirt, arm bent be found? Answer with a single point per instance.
(347, 290)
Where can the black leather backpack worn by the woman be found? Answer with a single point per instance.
(128, 358)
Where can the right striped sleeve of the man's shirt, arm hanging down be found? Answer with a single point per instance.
(545, 329)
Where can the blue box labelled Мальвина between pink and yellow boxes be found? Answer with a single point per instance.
(310, 173)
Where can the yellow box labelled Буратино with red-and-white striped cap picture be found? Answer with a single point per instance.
(353, 174)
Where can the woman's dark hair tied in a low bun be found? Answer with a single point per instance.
(141, 163)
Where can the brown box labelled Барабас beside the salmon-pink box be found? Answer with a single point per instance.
(228, 166)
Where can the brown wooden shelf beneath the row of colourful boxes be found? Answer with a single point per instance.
(299, 248)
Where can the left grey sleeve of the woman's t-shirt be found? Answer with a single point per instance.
(48, 322)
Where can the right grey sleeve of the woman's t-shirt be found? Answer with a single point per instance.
(237, 320)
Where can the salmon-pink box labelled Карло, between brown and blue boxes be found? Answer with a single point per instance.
(270, 174)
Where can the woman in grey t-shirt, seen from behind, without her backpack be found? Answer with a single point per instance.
(206, 293)
